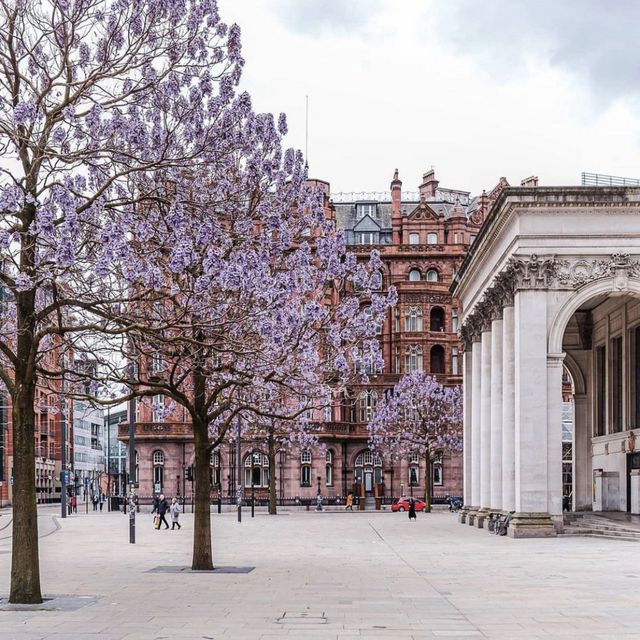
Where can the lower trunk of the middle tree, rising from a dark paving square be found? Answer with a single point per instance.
(202, 559)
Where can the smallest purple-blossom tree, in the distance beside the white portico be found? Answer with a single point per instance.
(418, 416)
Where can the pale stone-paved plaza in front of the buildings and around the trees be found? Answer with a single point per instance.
(331, 575)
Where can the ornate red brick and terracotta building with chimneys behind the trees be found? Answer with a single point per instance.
(423, 237)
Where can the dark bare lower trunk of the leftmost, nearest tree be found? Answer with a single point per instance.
(25, 563)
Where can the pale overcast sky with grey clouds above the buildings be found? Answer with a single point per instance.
(477, 90)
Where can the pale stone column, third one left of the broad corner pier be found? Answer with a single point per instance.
(485, 425)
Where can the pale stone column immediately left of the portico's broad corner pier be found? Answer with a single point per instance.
(508, 411)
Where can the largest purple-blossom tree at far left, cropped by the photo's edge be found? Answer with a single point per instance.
(107, 107)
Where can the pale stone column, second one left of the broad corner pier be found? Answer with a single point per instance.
(496, 409)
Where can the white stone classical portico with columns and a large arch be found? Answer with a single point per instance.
(552, 284)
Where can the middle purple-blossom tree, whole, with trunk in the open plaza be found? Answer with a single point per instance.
(260, 306)
